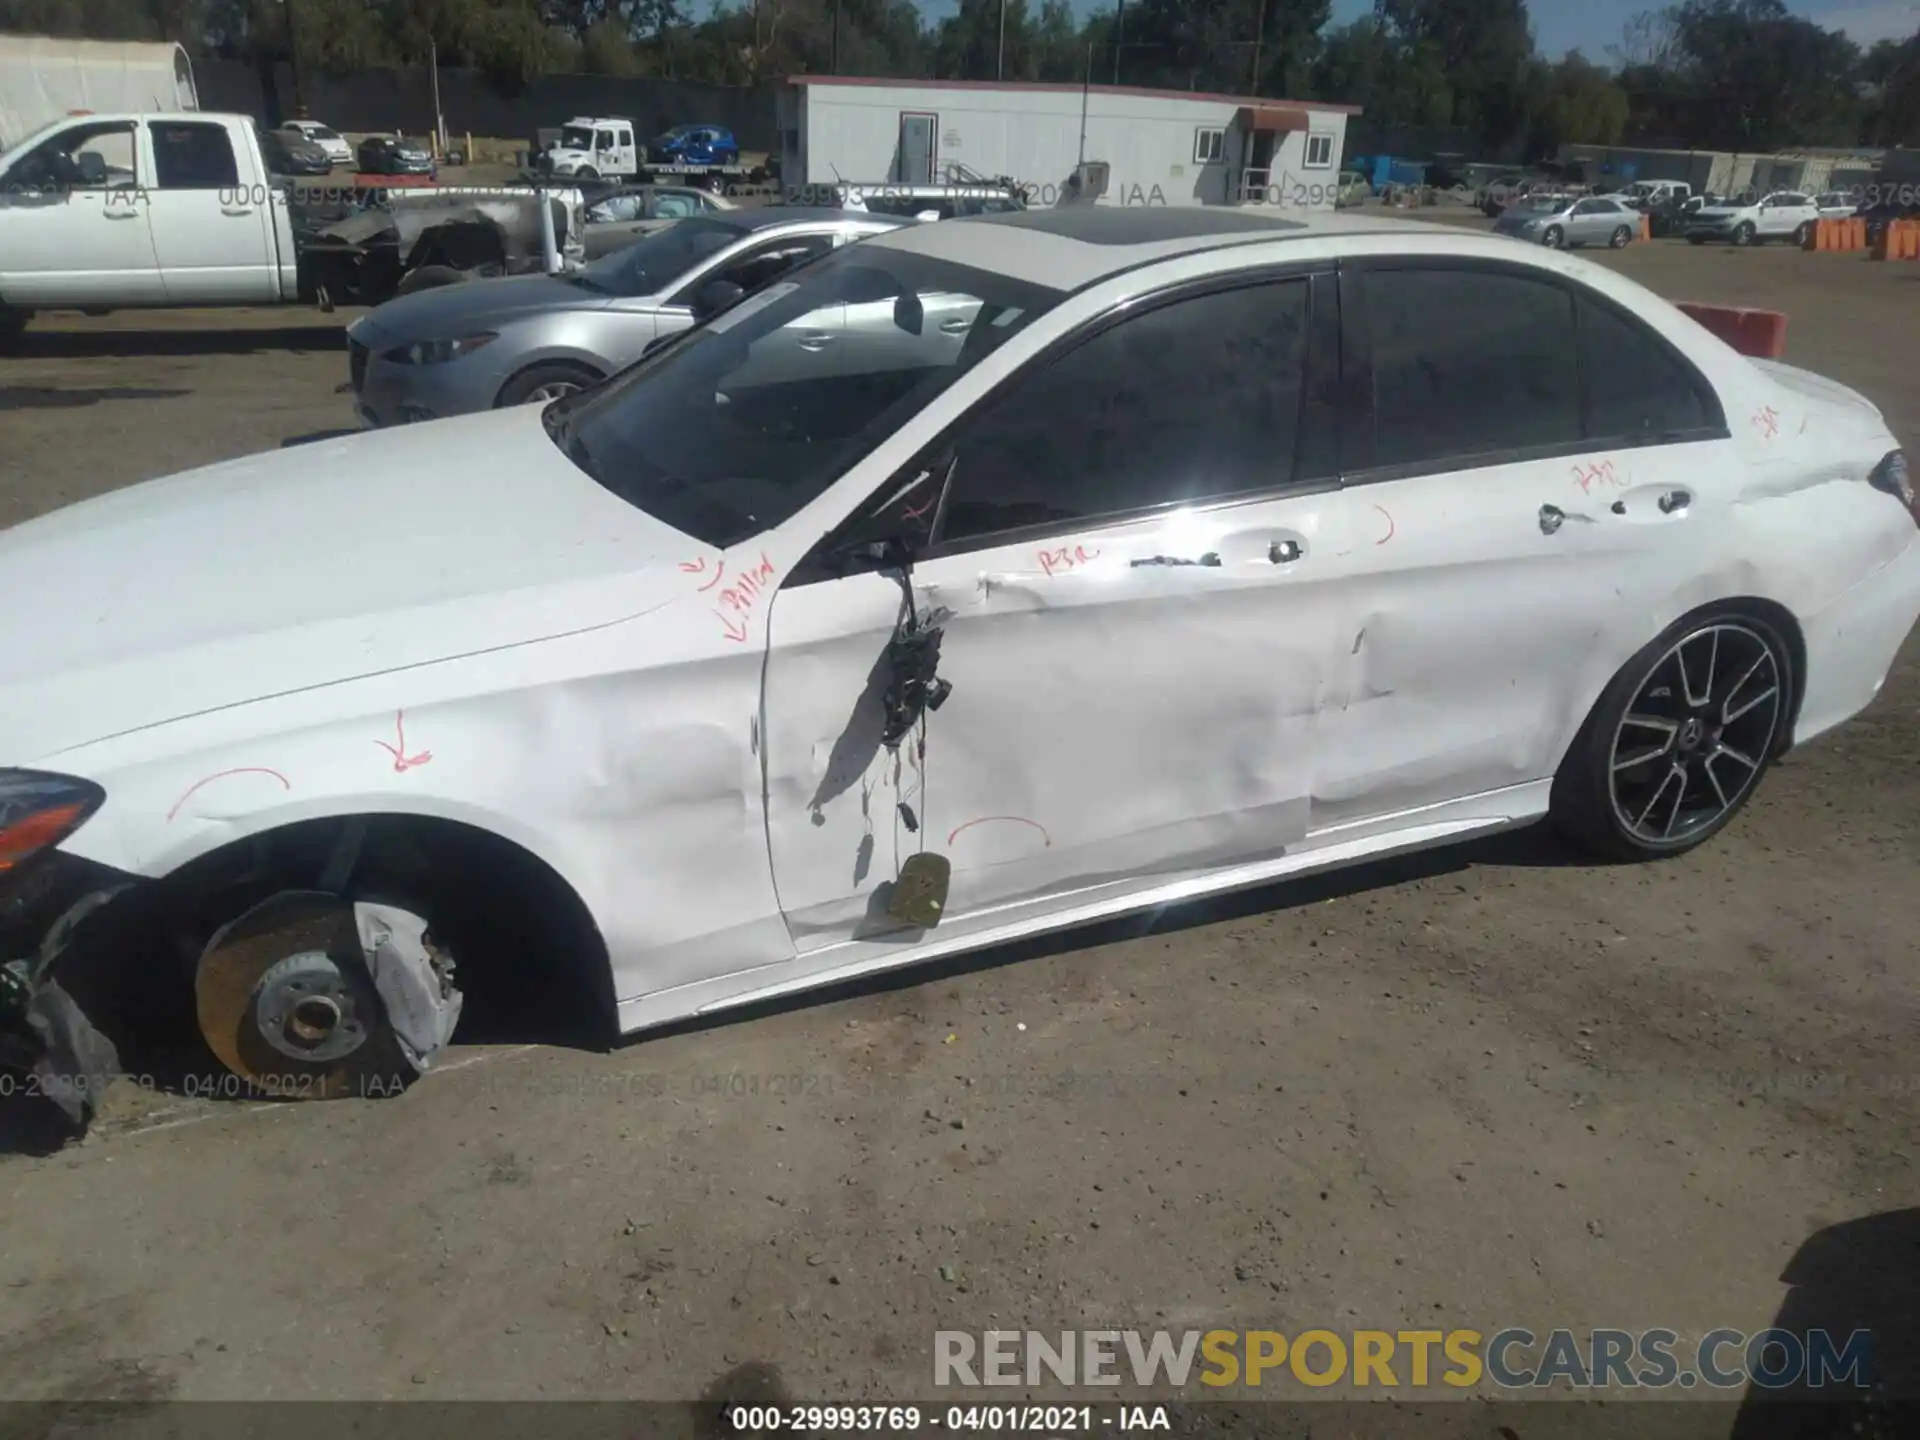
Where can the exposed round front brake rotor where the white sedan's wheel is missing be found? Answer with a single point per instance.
(285, 1001)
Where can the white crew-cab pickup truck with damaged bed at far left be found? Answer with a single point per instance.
(133, 212)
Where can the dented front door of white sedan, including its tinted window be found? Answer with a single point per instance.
(1136, 564)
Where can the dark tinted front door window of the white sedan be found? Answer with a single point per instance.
(1188, 402)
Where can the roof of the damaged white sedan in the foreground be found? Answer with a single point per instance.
(1072, 247)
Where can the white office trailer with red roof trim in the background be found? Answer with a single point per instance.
(1159, 147)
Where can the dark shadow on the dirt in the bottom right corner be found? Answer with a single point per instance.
(1854, 1280)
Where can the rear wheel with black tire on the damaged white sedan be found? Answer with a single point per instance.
(1679, 740)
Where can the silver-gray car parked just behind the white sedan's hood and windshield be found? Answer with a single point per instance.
(489, 345)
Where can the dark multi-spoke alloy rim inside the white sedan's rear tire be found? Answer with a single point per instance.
(1696, 734)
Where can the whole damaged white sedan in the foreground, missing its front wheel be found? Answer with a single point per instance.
(976, 581)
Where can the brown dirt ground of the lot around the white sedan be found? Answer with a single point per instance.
(1477, 1090)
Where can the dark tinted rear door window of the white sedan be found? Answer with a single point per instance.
(1470, 364)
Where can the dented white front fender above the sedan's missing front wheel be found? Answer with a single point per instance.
(621, 757)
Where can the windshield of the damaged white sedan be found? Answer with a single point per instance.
(746, 421)
